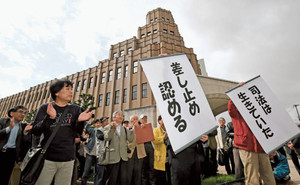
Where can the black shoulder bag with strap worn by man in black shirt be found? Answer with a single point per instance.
(33, 162)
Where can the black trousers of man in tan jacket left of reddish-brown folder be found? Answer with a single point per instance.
(135, 169)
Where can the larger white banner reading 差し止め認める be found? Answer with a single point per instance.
(180, 99)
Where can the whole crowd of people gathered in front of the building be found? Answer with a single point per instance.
(113, 154)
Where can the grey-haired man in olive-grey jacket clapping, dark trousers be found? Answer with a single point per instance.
(118, 137)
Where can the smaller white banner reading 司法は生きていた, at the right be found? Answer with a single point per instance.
(265, 116)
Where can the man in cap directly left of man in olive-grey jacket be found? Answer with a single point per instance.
(92, 151)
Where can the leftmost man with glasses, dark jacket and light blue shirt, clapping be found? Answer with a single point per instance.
(13, 140)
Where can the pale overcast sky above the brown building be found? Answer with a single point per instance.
(43, 40)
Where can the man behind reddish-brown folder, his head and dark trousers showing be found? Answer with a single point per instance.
(148, 174)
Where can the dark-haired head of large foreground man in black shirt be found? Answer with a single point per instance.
(62, 90)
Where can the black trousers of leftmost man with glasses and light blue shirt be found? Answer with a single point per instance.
(7, 162)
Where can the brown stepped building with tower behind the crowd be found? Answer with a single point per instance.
(118, 83)
